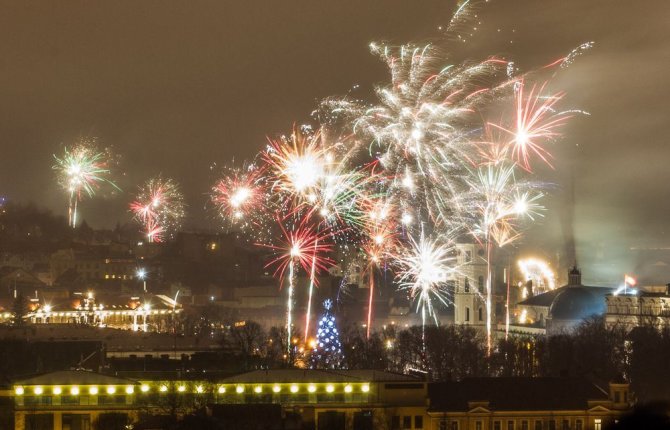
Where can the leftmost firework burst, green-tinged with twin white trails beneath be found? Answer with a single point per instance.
(81, 170)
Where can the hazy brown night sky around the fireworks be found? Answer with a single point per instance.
(177, 86)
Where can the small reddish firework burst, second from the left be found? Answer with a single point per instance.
(159, 208)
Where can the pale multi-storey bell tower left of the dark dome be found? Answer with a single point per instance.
(469, 286)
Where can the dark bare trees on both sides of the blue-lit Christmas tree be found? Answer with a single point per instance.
(593, 351)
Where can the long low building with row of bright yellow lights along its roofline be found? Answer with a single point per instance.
(323, 399)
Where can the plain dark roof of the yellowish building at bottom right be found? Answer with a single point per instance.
(514, 394)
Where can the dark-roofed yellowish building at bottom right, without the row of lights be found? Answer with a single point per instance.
(525, 404)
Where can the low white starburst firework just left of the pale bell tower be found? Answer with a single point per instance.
(423, 271)
